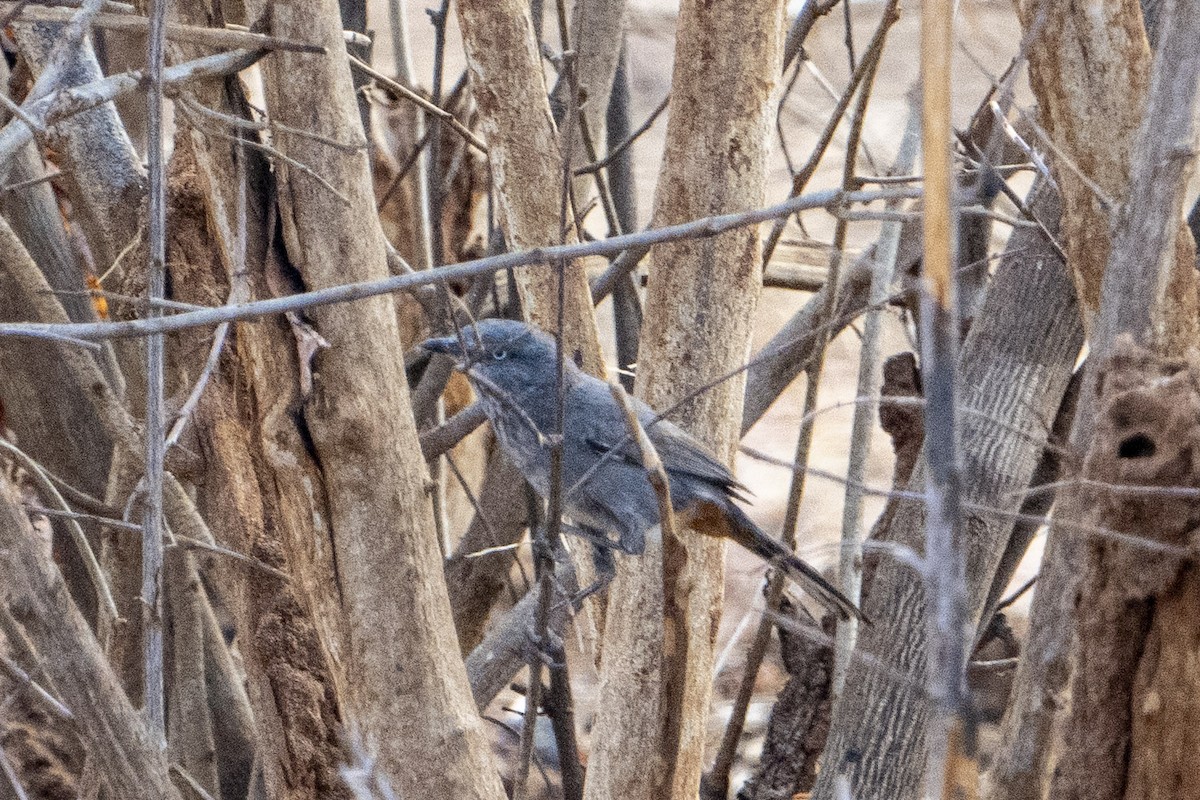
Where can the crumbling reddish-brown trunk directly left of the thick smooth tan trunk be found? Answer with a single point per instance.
(250, 478)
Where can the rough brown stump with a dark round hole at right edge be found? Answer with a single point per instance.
(1132, 699)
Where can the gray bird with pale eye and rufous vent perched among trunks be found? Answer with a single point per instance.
(605, 488)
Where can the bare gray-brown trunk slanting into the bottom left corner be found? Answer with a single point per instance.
(38, 600)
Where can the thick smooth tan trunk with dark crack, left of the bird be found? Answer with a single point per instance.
(359, 540)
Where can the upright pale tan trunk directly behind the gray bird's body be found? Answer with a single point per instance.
(701, 299)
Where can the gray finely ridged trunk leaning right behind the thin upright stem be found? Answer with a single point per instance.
(1015, 366)
